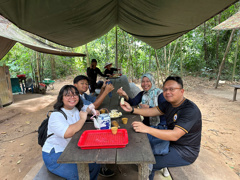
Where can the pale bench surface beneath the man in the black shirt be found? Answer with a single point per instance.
(207, 167)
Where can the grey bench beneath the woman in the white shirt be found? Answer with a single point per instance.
(43, 173)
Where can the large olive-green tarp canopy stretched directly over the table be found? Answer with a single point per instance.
(76, 22)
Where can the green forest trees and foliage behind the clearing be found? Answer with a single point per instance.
(197, 53)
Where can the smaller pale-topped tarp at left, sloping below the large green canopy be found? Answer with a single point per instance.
(10, 34)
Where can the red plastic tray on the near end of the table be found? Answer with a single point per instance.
(100, 139)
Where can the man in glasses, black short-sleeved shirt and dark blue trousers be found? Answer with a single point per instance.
(184, 123)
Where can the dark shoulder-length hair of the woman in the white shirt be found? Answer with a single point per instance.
(64, 91)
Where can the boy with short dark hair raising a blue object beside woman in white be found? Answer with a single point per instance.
(81, 83)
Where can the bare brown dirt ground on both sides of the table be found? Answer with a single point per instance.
(19, 122)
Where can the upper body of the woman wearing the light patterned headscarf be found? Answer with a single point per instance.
(147, 98)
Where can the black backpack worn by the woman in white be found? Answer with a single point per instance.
(42, 129)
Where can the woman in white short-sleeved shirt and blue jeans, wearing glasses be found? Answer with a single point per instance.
(69, 102)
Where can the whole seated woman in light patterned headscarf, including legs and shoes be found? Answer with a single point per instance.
(148, 98)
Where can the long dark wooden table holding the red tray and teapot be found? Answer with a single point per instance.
(138, 150)
